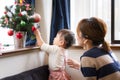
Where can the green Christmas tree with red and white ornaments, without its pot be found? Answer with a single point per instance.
(19, 17)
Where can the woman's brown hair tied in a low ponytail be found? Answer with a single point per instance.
(95, 30)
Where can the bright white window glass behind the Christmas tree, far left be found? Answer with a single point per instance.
(5, 39)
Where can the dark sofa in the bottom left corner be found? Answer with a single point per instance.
(40, 73)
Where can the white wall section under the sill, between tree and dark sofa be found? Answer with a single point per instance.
(22, 61)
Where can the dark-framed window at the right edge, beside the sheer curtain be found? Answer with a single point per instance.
(115, 31)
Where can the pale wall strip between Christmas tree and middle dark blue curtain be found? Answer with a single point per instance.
(44, 8)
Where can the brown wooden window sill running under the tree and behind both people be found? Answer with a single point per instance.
(25, 50)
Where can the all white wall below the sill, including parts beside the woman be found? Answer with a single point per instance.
(26, 60)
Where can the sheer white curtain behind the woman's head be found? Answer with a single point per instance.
(91, 8)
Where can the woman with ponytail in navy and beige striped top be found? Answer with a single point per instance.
(98, 62)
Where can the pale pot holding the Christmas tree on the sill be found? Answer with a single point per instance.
(19, 42)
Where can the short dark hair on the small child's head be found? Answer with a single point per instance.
(68, 36)
